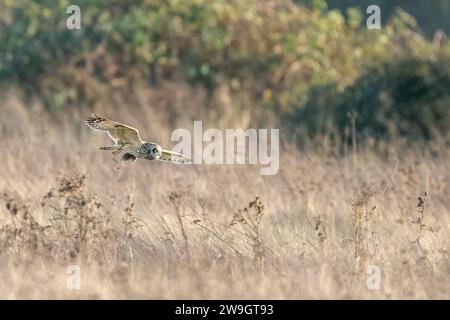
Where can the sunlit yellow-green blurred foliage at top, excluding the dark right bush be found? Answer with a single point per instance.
(275, 48)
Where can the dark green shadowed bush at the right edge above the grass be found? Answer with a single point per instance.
(407, 98)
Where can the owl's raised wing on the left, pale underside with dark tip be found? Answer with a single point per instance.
(120, 133)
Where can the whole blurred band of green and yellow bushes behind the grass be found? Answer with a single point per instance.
(304, 63)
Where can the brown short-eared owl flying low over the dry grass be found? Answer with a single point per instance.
(127, 140)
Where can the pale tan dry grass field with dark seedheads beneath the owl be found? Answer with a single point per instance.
(156, 230)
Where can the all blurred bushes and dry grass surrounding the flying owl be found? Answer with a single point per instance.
(364, 175)
